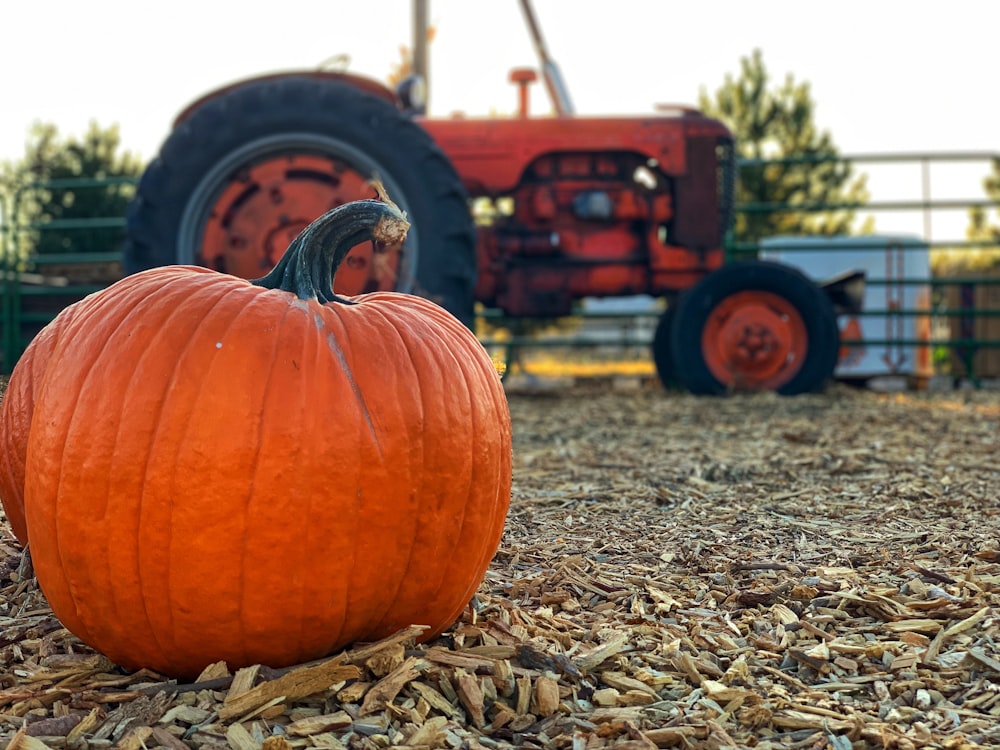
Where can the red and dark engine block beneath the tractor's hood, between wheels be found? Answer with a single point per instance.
(580, 225)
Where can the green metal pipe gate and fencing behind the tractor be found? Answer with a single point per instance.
(964, 305)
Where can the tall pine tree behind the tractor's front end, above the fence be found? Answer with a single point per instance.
(777, 122)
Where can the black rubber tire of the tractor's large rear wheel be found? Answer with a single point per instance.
(264, 119)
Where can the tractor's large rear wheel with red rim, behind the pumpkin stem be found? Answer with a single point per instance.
(247, 170)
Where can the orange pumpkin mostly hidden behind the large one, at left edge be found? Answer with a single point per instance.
(15, 419)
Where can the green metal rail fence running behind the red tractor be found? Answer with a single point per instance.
(965, 303)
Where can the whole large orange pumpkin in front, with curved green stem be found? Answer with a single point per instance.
(264, 472)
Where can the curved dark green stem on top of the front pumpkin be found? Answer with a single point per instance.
(309, 264)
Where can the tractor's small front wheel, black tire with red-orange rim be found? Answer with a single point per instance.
(754, 326)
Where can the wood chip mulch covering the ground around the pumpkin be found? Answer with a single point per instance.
(752, 571)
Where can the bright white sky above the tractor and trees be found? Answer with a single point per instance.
(887, 75)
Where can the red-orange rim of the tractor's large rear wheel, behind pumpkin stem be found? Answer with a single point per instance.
(267, 204)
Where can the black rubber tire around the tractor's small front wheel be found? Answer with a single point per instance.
(806, 374)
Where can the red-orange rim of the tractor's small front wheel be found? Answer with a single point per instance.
(754, 340)
